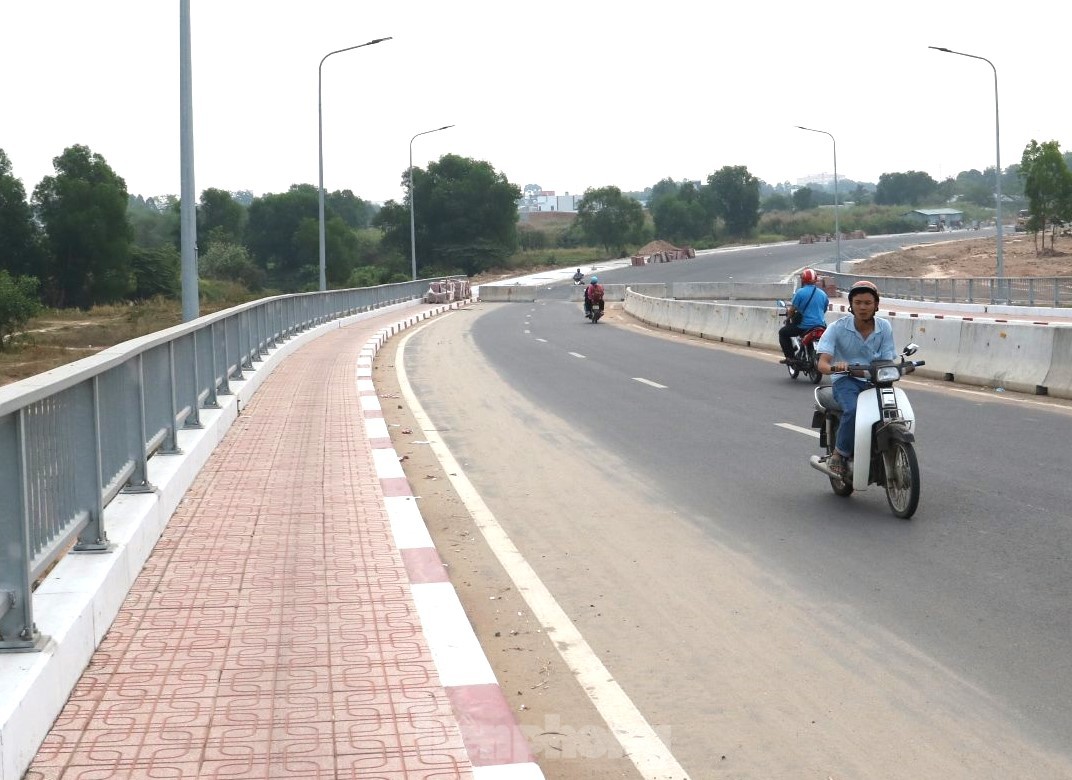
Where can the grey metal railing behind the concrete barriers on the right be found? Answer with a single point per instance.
(1016, 291)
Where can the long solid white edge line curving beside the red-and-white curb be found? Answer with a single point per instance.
(639, 741)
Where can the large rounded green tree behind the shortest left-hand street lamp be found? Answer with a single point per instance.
(466, 218)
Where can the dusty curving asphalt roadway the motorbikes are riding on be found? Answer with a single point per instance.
(971, 603)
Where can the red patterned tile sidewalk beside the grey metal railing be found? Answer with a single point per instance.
(273, 633)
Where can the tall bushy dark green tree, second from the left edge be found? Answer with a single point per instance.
(84, 213)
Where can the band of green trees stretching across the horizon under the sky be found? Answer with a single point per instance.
(82, 239)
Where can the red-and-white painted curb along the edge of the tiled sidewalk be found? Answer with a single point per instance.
(494, 741)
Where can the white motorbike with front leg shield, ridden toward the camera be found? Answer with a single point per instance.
(885, 452)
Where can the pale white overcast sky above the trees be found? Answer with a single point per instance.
(568, 96)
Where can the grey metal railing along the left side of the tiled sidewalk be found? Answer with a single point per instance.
(75, 438)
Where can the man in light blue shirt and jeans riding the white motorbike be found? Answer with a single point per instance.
(858, 339)
